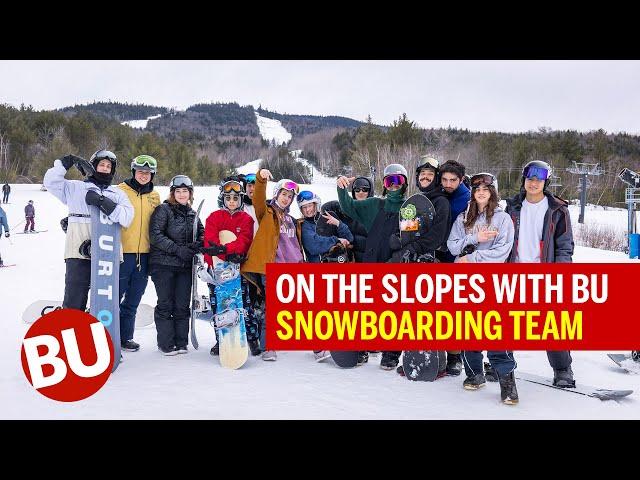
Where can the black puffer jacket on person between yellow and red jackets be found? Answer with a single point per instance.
(172, 226)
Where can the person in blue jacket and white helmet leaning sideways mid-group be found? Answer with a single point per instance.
(315, 244)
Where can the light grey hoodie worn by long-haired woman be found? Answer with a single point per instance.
(496, 250)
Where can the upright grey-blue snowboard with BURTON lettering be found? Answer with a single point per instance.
(105, 273)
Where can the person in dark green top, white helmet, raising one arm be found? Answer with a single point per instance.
(380, 218)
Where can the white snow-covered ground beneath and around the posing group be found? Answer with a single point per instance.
(148, 385)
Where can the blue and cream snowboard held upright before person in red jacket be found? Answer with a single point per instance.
(229, 316)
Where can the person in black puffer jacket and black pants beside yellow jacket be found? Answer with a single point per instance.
(170, 262)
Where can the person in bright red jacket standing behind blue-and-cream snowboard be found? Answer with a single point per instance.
(231, 216)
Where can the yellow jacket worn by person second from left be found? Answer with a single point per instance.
(135, 238)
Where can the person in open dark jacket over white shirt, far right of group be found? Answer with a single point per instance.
(543, 234)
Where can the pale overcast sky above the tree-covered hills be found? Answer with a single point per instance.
(509, 96)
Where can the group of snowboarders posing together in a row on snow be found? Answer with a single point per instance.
(158, 240)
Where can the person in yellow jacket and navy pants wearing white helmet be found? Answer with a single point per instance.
(134, 271)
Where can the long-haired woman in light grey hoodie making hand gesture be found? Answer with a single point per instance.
(484, 234)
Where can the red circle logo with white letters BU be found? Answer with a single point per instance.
(67, 355)
